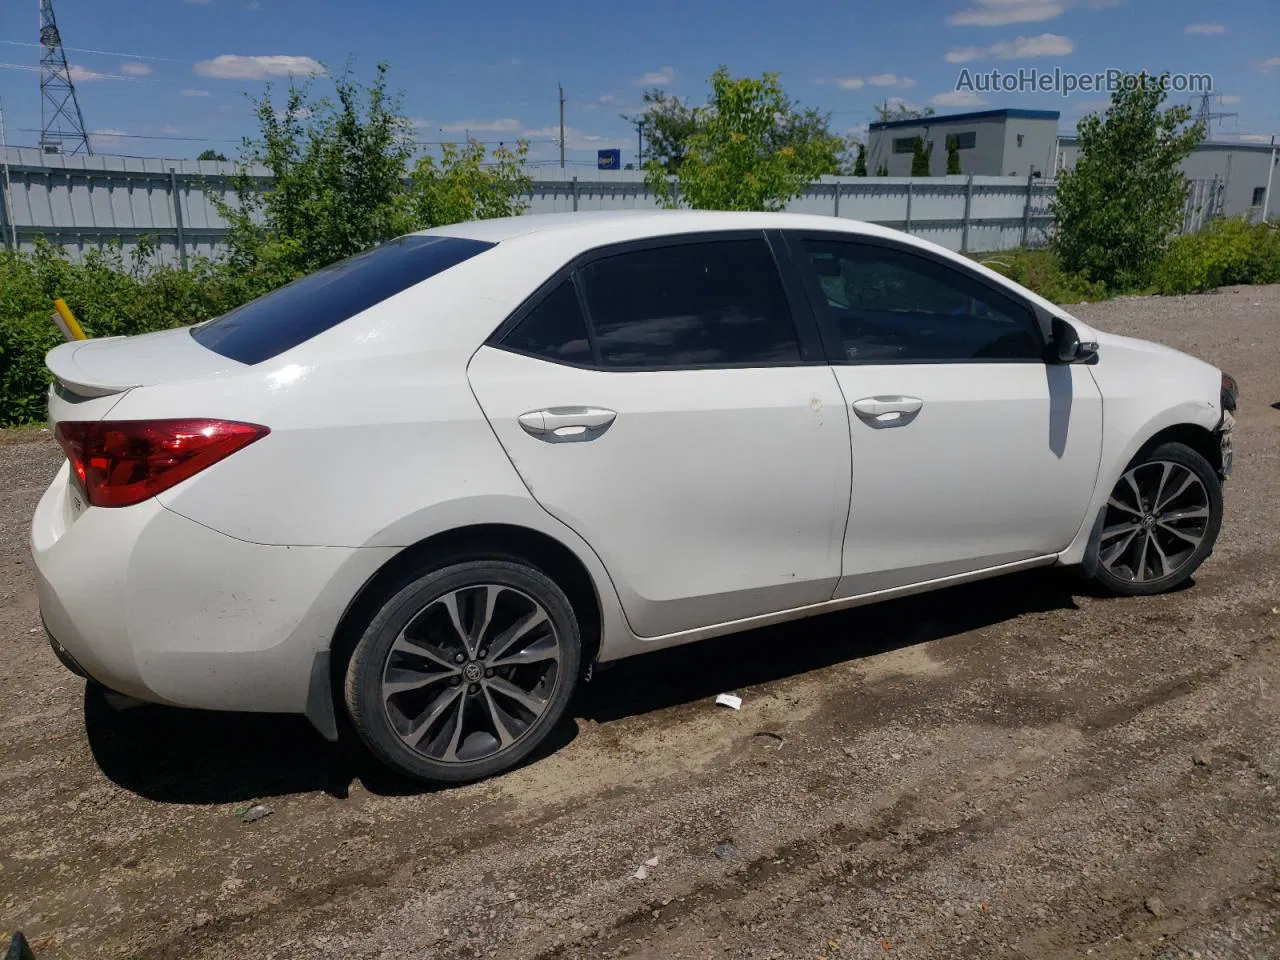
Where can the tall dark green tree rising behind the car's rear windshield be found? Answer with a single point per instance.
(336, 190)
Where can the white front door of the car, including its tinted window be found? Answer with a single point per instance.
(970, 450)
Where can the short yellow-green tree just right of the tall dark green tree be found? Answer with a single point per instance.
(467, 185)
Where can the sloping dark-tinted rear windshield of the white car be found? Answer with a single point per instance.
(287, 317)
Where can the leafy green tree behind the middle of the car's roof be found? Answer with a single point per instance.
(752, 149)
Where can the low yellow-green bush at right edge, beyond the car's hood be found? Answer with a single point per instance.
(1226, 253)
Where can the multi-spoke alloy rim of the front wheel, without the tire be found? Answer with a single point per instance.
(1158, 516)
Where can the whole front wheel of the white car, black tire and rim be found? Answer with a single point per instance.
(1159, 524)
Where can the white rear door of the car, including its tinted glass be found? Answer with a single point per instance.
(661, 401)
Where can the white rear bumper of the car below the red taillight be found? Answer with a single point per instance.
(162, 609)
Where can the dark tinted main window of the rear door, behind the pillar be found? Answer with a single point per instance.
(691, 305)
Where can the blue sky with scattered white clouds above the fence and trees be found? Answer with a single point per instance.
(181, 68)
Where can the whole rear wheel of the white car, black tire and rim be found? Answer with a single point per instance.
(465, 671)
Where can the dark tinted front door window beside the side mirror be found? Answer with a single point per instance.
(897, 308)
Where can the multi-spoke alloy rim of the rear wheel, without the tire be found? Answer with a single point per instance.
(472, 674)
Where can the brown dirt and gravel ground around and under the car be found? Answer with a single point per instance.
(1016, 769)
